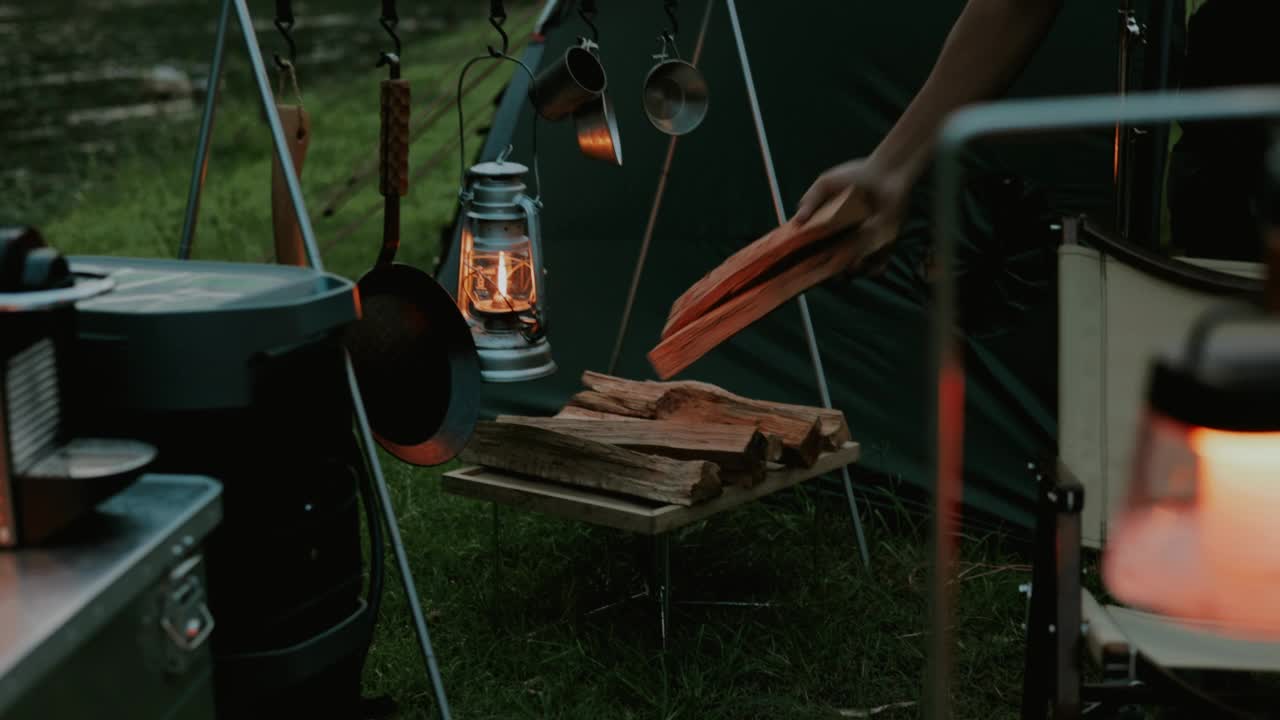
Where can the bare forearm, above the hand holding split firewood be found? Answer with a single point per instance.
(989, 47)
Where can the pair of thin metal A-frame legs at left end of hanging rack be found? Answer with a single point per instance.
(295, 188)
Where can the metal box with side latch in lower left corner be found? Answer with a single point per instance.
(111, 621)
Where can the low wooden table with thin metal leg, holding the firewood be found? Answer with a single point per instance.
(648, 518)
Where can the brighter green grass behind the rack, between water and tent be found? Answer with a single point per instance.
(134, 203)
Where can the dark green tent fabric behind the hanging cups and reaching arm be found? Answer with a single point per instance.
(831, 80)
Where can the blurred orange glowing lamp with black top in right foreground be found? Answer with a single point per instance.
(1199, 535)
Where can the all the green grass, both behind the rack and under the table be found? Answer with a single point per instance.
(514, 635)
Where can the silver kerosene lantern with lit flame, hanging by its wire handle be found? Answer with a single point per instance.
(501, 279)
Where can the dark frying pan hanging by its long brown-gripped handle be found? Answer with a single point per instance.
(412, 349)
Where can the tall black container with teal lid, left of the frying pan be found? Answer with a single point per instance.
(236, 371)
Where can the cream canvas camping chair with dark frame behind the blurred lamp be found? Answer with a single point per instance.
(1118, 304)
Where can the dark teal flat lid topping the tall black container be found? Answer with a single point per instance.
(186, 335)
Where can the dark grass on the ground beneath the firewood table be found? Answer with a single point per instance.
(516, 640)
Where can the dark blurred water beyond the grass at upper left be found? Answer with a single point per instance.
(74, 74)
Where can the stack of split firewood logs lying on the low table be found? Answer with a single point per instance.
(675, 443)
